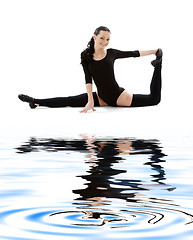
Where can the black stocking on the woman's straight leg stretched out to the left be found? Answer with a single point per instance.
(72, 101)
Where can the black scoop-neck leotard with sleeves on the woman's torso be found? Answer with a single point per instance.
(102, 72)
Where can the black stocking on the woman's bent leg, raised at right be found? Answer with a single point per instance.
(140, 100)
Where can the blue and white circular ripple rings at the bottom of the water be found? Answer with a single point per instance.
(80, 223)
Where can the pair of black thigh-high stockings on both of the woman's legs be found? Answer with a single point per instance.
(139, 100)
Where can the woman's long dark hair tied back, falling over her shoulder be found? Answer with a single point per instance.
(87, 54)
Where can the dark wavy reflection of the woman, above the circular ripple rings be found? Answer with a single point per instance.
(101, 156)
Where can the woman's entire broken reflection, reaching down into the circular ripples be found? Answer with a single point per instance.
(104, 182)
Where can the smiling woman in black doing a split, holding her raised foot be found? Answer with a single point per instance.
(98, 64)
